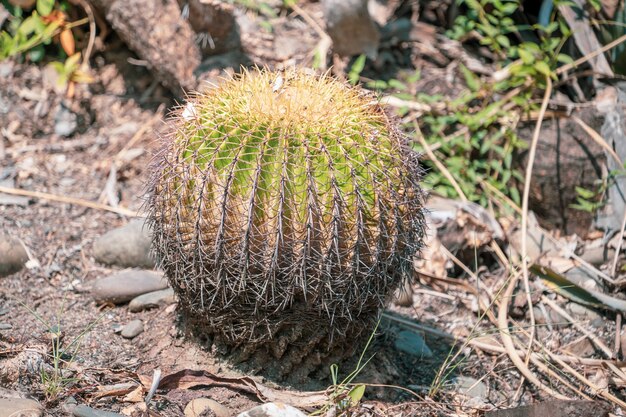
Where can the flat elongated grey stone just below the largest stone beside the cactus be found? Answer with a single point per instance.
(126, 285)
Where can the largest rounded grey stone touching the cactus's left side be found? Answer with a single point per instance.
(126, 246)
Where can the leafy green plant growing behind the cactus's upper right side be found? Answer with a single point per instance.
(474, 133)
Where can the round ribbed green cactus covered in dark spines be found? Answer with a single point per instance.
(286, 209)
